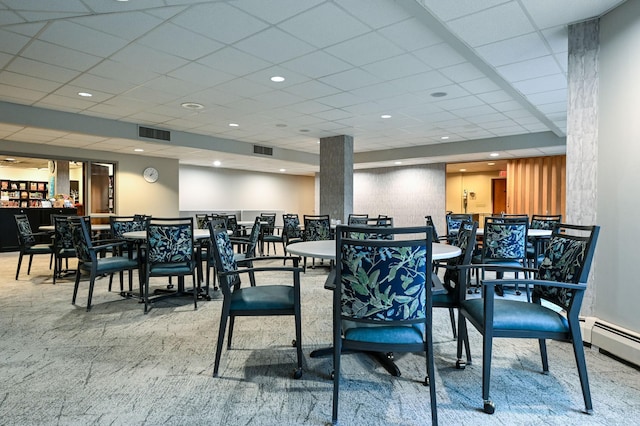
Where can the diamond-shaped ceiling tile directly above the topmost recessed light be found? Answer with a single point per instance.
(268, 46)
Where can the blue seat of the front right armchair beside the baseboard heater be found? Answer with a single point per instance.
(512, 315)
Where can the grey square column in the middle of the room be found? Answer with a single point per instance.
(336, 177)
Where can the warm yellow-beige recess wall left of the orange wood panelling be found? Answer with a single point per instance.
(479, 183)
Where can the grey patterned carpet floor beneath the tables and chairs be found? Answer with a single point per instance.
(61, 365)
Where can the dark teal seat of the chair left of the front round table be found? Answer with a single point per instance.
(264, 297)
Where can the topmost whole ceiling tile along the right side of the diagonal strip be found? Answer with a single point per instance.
(480, 28)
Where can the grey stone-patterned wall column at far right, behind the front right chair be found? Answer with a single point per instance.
(582, 132)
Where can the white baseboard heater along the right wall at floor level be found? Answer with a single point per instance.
(612, 339)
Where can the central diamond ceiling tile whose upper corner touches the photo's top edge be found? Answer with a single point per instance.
(324, 25)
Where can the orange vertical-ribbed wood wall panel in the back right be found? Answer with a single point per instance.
(537, 185)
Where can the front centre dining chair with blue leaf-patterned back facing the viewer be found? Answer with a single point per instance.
(382, 300)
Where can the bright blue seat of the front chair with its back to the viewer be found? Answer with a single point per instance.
(374, 333)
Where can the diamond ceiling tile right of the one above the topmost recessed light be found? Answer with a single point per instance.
(359, 51)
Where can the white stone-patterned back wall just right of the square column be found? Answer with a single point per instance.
(405, 193)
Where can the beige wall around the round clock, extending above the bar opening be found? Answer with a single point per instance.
(133, 193)
